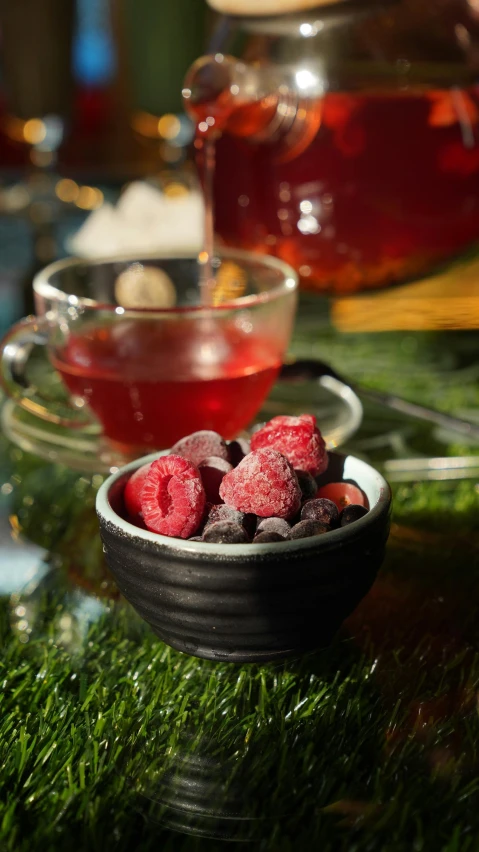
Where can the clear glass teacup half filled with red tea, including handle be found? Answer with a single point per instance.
(142, 358)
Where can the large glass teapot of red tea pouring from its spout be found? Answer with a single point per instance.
(346, 134)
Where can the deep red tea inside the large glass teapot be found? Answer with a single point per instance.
(365, 189)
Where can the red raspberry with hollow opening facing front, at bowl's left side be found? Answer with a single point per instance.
(173, 497)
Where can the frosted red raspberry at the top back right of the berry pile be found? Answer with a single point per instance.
(297, 438)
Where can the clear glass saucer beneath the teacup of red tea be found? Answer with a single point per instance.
(337, 407)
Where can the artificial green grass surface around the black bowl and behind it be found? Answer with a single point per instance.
(370, 745)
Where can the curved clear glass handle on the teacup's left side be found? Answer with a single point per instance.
(16, 348)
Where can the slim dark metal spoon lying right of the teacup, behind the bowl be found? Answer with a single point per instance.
(315, 369)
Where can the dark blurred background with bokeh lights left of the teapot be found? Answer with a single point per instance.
(90, 101)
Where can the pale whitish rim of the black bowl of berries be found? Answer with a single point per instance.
(105, 510)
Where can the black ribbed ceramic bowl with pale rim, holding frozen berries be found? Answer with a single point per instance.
(247, 602)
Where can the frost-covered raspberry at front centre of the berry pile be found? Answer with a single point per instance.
(263, 483)
